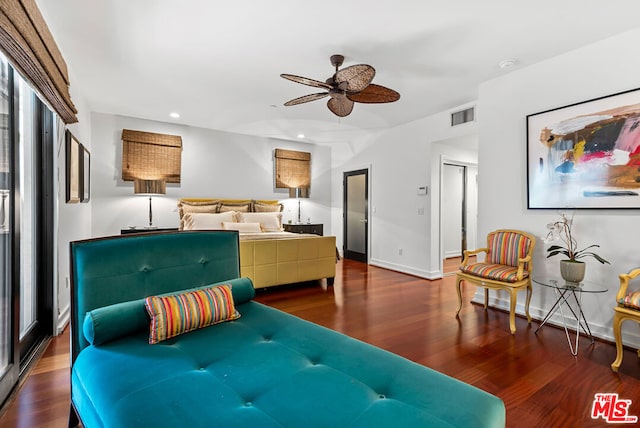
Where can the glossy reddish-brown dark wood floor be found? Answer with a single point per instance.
(541, 384)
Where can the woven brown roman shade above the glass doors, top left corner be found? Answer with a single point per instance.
(27, 43)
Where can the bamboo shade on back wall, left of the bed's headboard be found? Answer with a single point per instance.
(151, 156)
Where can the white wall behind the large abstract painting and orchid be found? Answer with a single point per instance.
(604, 68)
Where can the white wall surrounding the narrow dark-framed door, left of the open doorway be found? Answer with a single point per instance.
(401, 160)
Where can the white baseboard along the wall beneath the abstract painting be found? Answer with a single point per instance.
(604, 332)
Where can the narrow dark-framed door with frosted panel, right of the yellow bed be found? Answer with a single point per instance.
(356, 215)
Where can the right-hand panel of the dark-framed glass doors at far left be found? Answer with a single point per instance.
(36, 223)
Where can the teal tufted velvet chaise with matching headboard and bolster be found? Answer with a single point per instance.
(265, 369)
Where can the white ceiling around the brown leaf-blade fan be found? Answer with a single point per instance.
(218, 63)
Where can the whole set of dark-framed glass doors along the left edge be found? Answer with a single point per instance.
(26, 225)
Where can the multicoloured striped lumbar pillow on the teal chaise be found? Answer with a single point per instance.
(179, 313)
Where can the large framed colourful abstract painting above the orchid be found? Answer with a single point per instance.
(585, 155)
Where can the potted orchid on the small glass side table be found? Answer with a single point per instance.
(571, 269)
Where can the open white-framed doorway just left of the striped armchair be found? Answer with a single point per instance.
(458, 212)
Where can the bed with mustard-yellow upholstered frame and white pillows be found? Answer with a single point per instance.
(269, 256)
